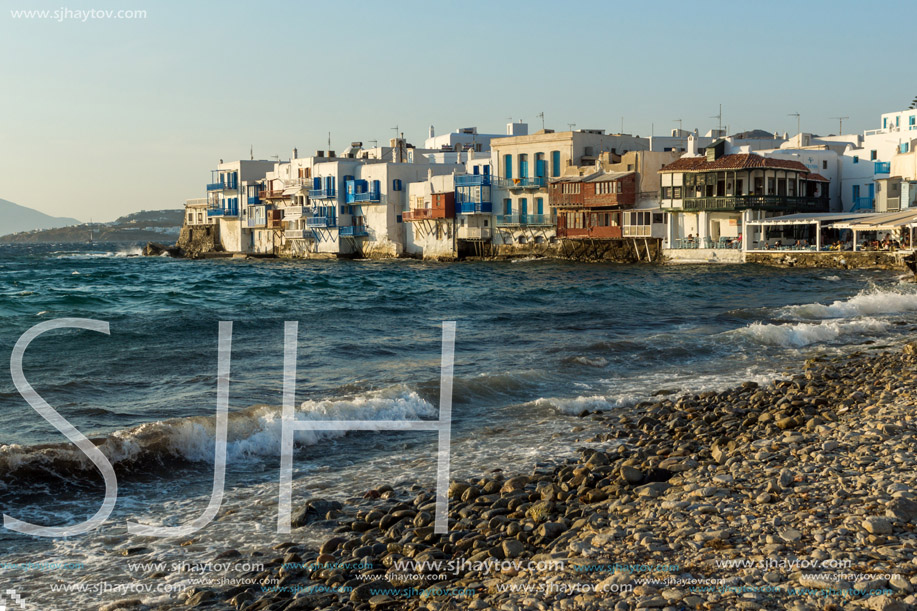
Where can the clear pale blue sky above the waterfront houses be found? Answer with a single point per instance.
(101, 117)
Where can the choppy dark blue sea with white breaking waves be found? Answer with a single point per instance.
(537, 343)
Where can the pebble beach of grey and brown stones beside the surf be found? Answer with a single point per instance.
(798, 495)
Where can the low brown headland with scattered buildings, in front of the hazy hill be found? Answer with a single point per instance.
(145, 226)
